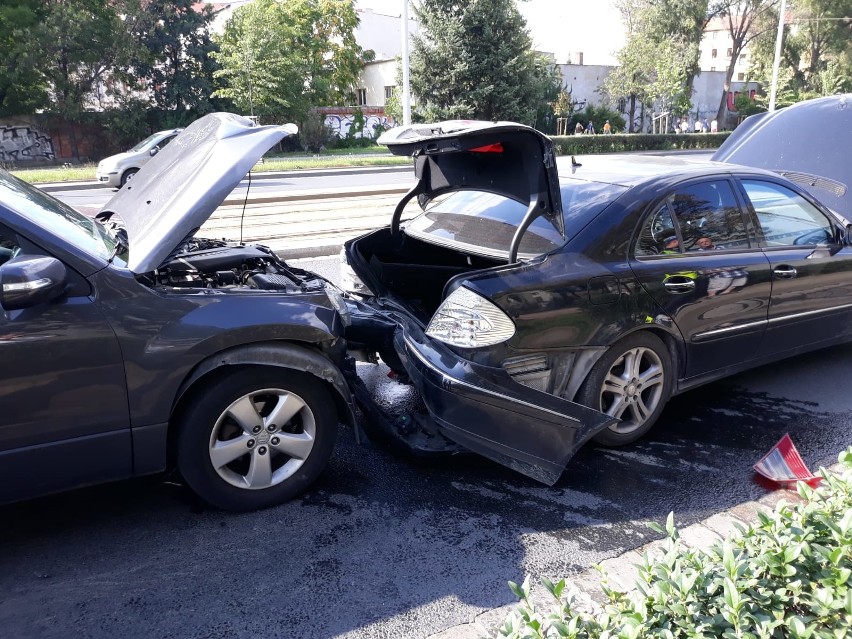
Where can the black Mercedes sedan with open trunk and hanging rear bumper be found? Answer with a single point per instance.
(538, 303)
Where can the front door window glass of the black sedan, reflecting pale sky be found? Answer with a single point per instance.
(786, 218)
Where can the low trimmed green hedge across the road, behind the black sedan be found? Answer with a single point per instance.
(618, 143)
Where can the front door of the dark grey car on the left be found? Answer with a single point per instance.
(63, 401)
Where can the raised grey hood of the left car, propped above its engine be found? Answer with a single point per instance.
(180, 187)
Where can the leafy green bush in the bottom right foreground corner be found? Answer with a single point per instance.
(789, 575)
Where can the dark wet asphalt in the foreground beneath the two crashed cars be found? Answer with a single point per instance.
(385, 546)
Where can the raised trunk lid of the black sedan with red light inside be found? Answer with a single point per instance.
(504, 158)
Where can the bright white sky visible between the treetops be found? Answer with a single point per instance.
(561, 27)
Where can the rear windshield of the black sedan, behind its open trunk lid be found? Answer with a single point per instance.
(486, 223)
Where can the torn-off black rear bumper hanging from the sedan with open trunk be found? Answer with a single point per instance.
(484, 410)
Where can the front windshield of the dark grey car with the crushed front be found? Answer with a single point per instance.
(55, 217)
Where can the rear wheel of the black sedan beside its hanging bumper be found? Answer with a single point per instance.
(632, 381)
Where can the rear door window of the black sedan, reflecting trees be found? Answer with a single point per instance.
(709, 217)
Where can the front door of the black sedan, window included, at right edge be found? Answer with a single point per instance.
(811, 266)
